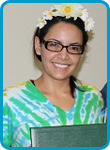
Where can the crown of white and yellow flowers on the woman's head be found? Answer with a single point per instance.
(67, 10)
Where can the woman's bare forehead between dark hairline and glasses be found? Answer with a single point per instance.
(65, 32)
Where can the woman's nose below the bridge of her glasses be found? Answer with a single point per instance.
(63, 55)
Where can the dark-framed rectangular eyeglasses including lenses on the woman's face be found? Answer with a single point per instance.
(55, 46)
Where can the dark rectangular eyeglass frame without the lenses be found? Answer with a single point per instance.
(46, 43)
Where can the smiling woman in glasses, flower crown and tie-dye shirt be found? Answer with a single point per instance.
(56, 98)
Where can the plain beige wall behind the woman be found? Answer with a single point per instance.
(19, 22)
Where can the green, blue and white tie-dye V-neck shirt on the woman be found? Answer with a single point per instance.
(25, 106)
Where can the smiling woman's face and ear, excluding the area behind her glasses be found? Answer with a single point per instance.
(60, 65)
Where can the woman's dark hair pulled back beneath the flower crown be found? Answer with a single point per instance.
(41, 33)
